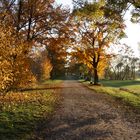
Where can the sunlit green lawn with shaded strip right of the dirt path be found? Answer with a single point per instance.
(113, 88)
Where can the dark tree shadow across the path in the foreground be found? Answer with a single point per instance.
(68, 127)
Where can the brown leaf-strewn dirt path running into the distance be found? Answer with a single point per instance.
(85, 115)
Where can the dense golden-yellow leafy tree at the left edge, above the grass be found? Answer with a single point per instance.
(14, 65)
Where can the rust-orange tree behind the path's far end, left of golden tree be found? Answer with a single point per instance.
(57, 53)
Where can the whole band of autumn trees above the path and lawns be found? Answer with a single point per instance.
(36, 37)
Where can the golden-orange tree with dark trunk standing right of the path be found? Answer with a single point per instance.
(96, 32)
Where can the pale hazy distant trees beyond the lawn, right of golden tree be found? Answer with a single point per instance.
(123, 66)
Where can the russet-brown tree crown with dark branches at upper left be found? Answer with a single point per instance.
(35, 20)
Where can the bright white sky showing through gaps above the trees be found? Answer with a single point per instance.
(132, 30)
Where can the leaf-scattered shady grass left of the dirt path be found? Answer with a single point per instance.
(22, 112)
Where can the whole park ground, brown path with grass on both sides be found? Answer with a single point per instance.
(72, 110)
